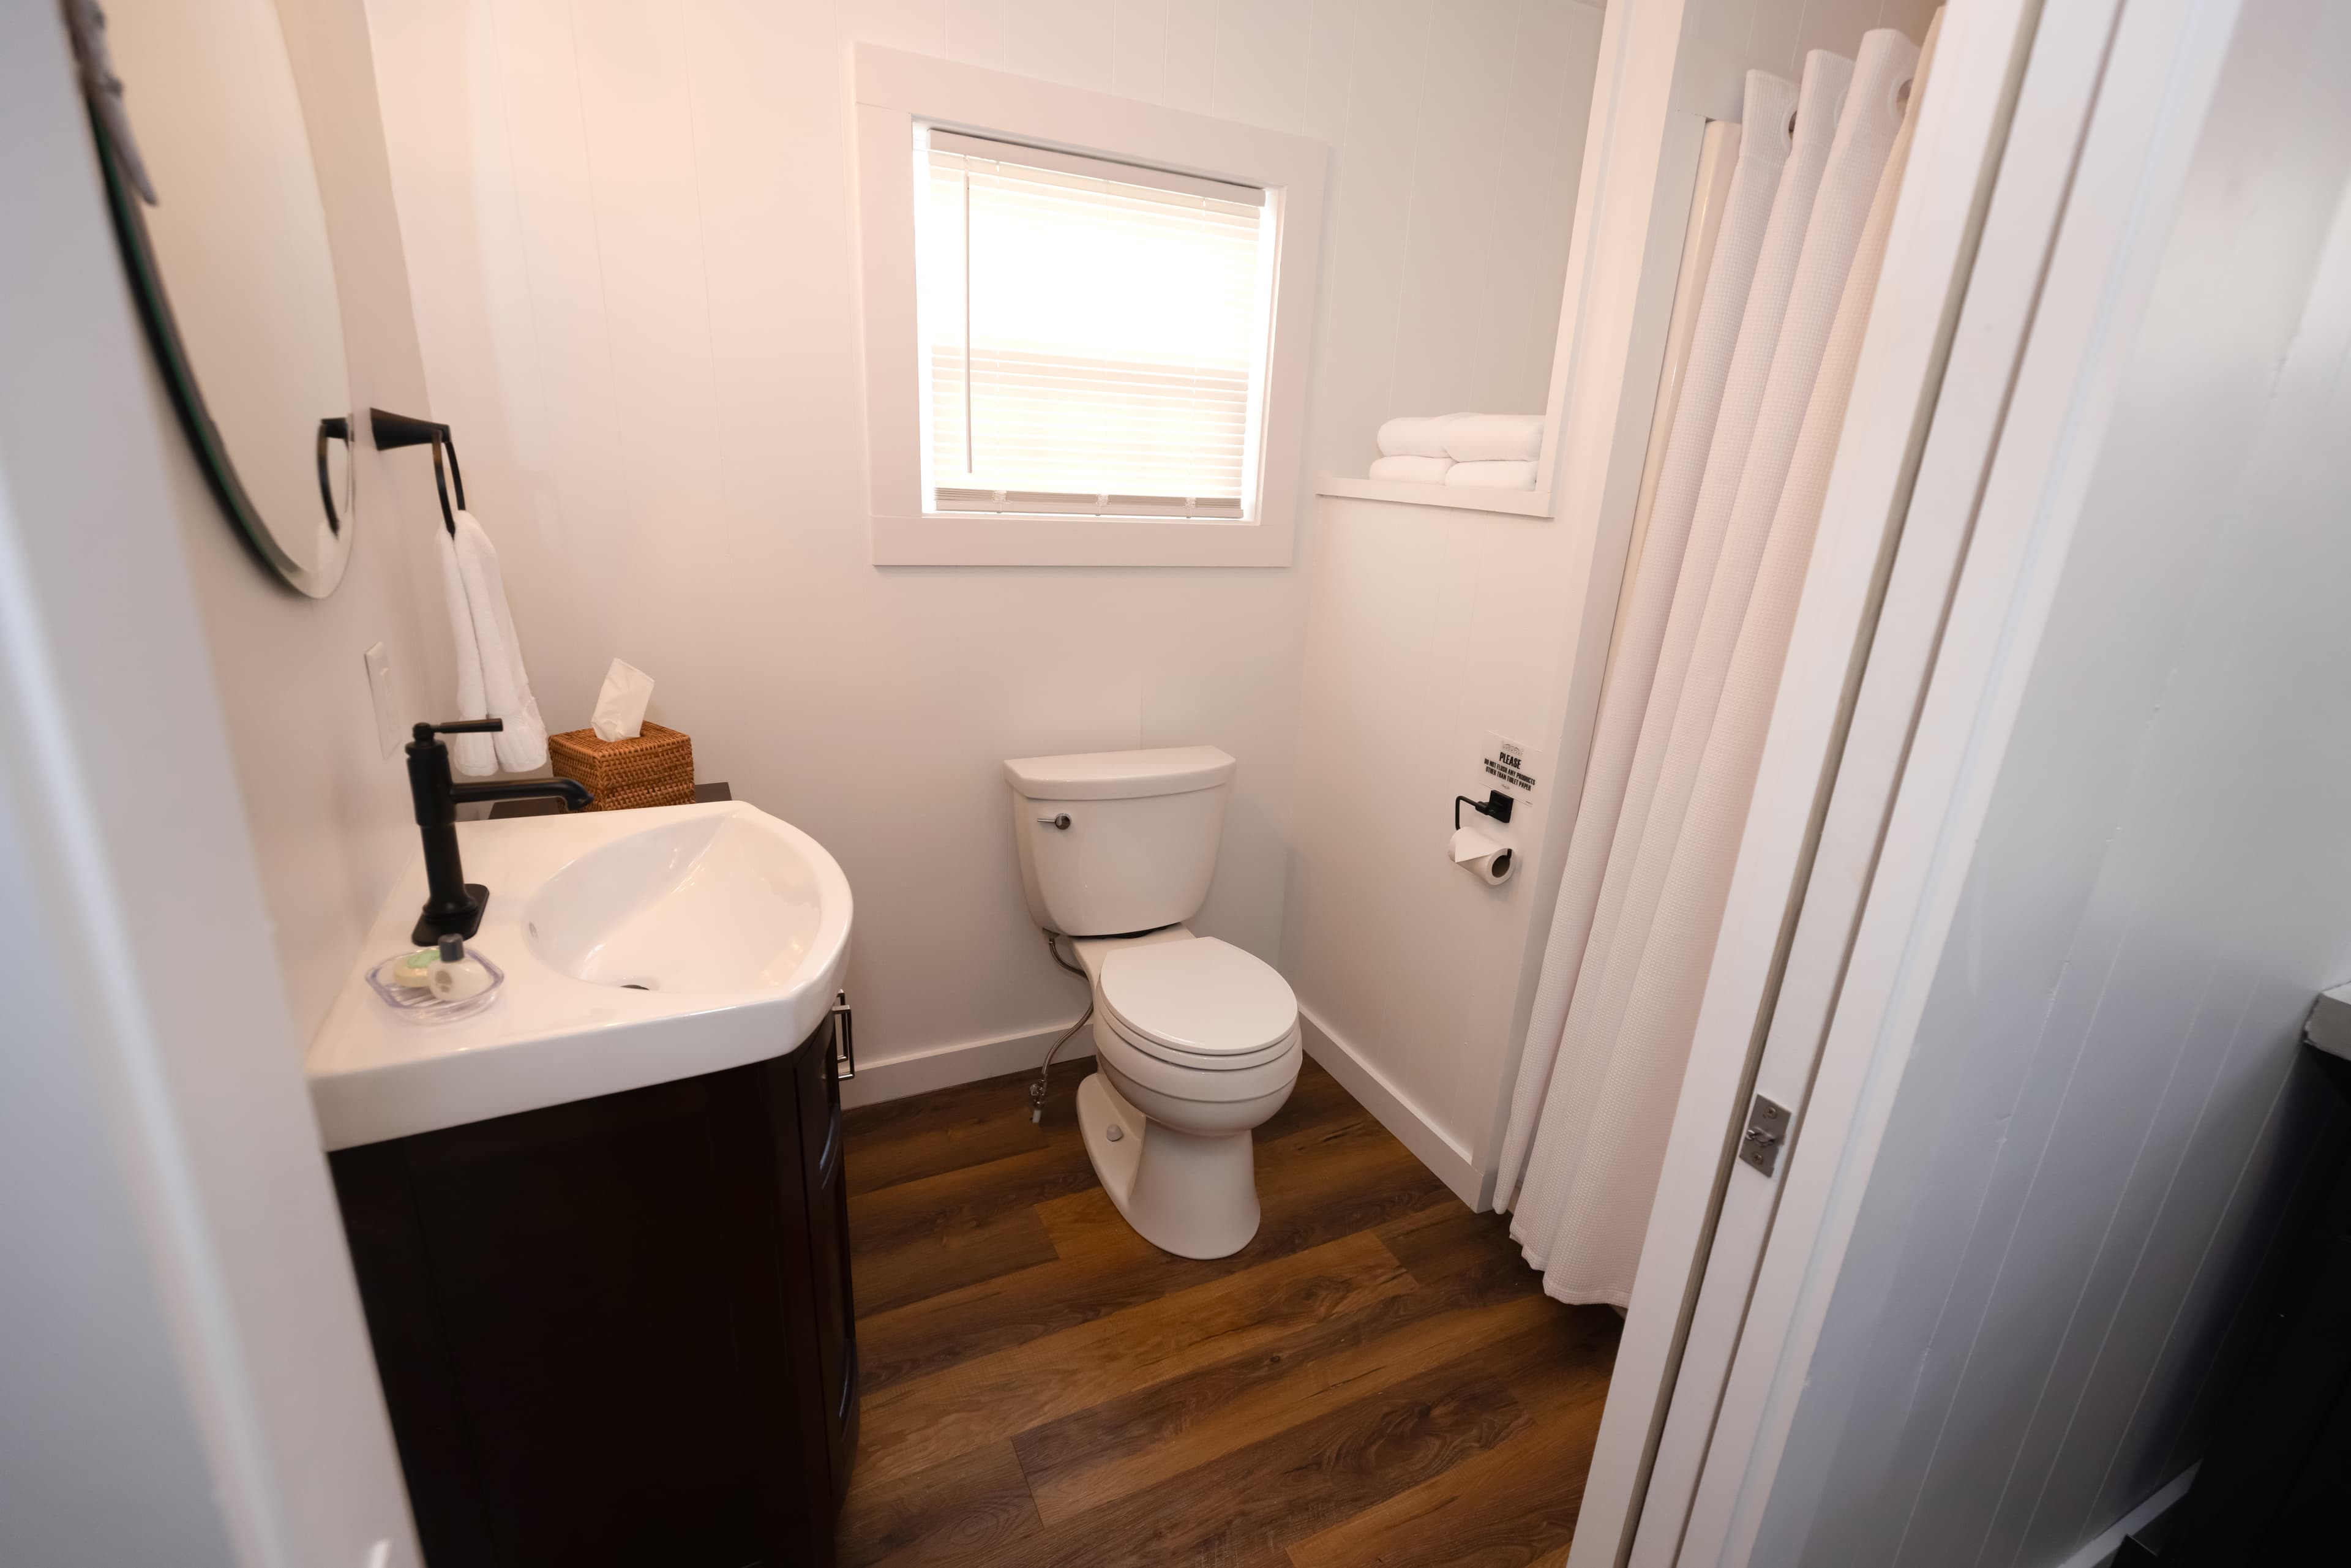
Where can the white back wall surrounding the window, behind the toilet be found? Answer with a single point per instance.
(631, 236)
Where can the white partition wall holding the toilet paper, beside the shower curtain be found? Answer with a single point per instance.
(1431, 629)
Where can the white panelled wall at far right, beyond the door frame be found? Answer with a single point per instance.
(2103, 1118)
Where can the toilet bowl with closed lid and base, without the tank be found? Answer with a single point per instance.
(1198, 1045)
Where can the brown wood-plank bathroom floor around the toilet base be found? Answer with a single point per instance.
(1374, 1381)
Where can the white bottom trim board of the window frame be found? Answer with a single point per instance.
(996, 540)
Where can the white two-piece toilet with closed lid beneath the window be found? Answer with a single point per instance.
(1195, 1040)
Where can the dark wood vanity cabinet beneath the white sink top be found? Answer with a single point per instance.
(619, 1332)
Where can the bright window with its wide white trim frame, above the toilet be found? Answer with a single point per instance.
(1087, 323)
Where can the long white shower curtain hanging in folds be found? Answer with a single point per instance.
(1699, 659)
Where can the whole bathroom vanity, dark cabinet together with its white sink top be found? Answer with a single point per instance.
(601, 1226)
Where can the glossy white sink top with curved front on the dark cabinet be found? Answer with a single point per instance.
(638, 949)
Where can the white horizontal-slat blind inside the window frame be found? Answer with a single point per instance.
(1094, 335)
